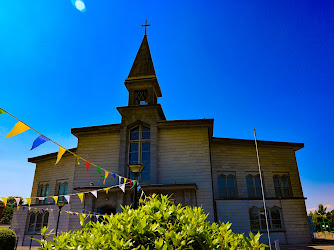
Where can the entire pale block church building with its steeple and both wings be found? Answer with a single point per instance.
(182, 158)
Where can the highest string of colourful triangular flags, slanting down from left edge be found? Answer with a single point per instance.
(21, 127)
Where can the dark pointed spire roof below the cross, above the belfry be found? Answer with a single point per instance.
(143, 64)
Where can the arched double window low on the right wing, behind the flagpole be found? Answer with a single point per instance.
(258, 220)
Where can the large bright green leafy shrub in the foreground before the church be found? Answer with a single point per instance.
(154, 225)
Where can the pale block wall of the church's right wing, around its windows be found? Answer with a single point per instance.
(241, 161)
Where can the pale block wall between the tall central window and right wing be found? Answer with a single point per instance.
(184, 157)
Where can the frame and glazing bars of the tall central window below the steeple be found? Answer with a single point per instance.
(140, 151)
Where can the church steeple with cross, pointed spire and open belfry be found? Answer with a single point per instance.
(142, 82)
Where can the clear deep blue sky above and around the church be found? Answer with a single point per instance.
(262, 64)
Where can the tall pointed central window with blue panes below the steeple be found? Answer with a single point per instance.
(139, 149)
